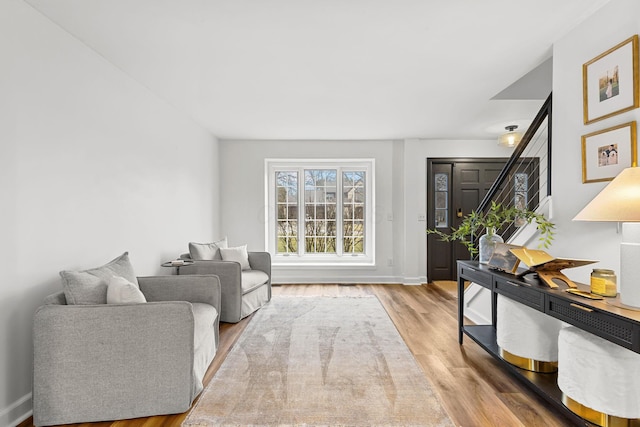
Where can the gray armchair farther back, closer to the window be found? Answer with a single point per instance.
(243, 291)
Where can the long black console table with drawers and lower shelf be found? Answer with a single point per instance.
(598, 317)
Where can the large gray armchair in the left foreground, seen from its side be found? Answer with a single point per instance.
(118, 361)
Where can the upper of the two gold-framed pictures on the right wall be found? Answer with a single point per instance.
(610, 82)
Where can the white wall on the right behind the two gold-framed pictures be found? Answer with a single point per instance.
(614, 23)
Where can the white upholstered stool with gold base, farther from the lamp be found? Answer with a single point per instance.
(526, 337)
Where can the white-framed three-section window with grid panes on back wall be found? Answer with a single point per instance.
(320, 211)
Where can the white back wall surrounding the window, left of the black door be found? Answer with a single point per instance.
(400, 197)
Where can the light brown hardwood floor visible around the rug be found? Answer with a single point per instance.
(473, 387)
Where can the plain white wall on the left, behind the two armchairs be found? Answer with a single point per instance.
(91, 165)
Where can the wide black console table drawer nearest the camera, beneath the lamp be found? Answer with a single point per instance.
(592, 320)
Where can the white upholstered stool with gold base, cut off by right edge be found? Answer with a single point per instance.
(600, 380)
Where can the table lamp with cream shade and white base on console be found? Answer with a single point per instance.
(620, 202)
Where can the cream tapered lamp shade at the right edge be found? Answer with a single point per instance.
(619, 201)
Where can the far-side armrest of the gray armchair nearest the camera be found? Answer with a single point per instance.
(191, 288)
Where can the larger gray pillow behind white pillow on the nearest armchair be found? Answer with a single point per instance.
(90, 286)
